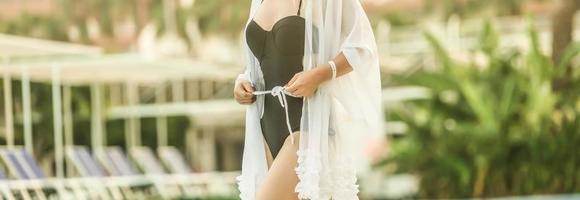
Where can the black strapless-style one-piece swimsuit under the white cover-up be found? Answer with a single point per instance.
(280, 52)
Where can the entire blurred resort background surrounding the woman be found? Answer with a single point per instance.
(132, 99)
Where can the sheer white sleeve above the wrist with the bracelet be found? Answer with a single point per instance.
(359, 91)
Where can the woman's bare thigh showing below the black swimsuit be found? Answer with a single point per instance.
(281, 179)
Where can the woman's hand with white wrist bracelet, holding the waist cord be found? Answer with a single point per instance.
(303, 84)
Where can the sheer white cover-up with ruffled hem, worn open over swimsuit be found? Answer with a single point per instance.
(338, 119)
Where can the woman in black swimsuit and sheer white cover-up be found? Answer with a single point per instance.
(312, 77)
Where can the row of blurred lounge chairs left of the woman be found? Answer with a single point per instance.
(109, 173)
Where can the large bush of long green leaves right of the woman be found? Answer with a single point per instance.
(492, 128)
